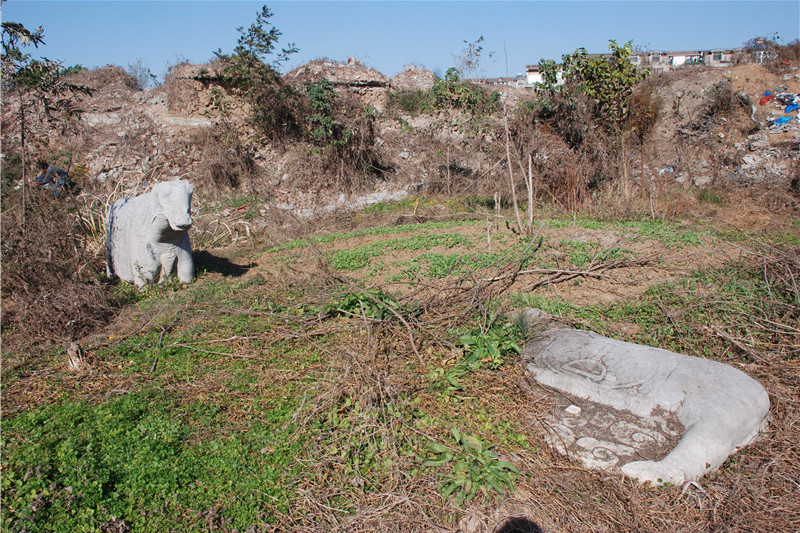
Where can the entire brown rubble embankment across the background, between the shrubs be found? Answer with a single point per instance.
(129, 138)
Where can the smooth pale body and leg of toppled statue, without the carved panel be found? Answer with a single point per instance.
(720, 407)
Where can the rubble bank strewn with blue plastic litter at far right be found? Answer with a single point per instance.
(753, 140)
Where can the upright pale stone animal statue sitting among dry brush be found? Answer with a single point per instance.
(147, 236)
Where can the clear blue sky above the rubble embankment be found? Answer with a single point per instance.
(387, 35)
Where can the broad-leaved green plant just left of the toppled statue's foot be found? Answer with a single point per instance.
(475, 467)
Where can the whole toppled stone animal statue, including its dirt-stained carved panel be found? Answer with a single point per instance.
(637, 401)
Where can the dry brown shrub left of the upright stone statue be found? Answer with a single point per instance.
(51, 274)
